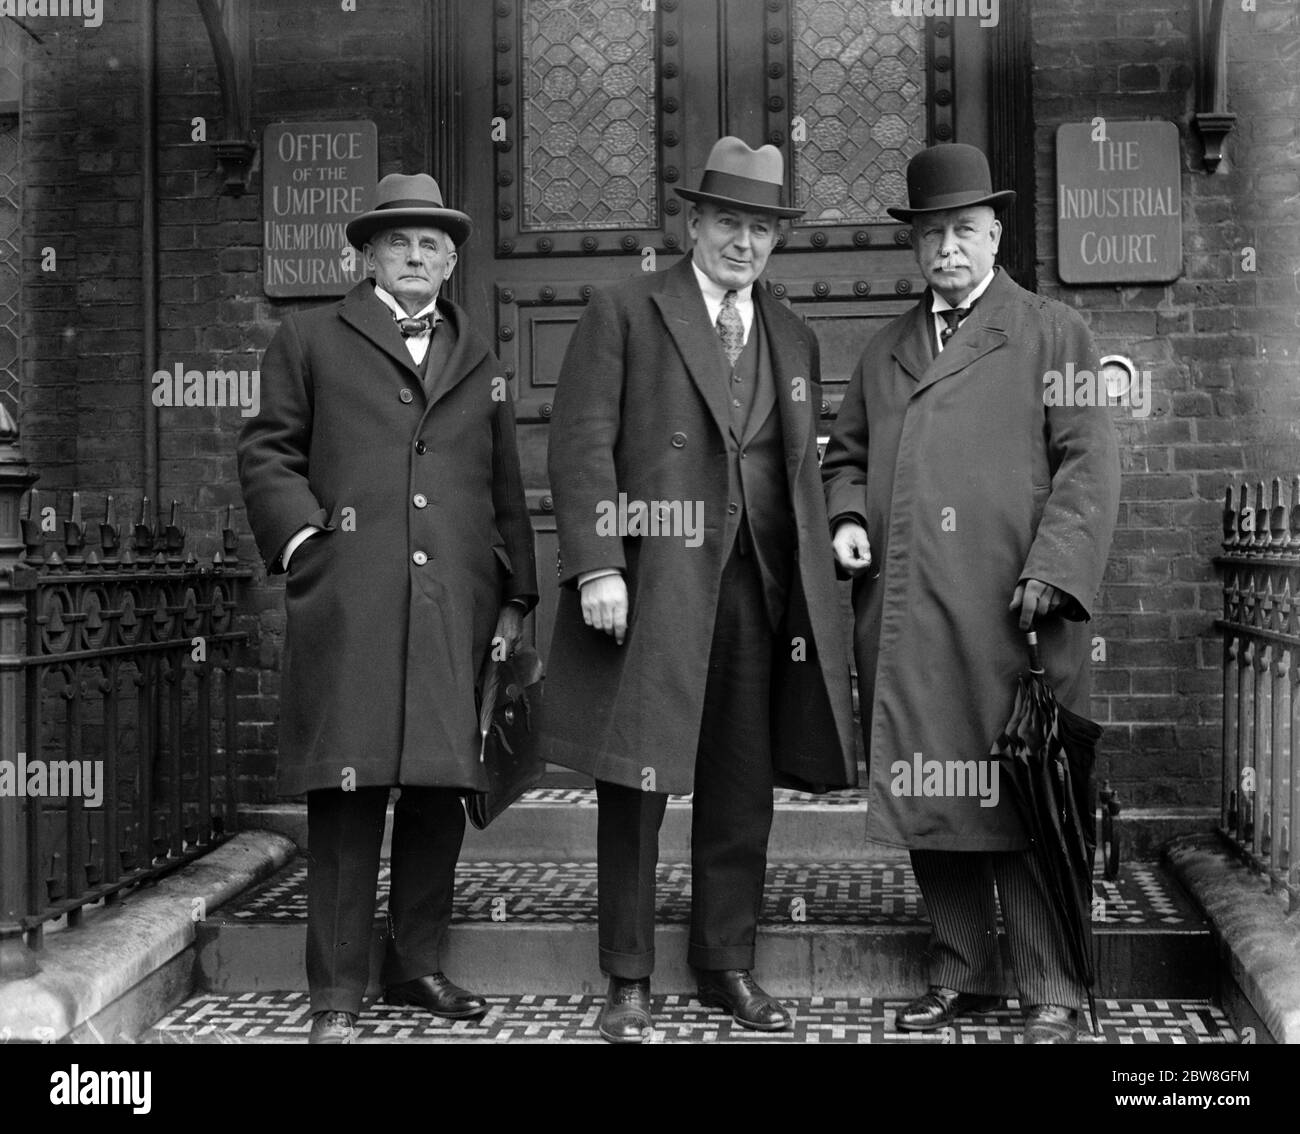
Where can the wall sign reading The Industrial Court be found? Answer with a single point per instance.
(1120, 202)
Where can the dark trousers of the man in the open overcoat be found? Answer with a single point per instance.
(731, 812)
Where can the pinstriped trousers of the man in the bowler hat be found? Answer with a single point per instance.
(964, 951)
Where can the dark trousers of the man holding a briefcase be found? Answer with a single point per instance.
(345, 837)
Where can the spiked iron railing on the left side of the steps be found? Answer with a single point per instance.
(118, 707)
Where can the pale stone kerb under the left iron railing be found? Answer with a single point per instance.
(89, 971)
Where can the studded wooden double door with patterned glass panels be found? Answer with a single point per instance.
(564, 127)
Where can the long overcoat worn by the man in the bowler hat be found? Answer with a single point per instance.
(968, 483)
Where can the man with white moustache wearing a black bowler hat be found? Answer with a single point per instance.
(967, 508)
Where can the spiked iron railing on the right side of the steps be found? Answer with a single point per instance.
(1260, 811)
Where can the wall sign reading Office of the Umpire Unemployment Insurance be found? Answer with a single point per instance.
(317, 178)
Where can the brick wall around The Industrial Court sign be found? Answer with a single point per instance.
(1220, 345)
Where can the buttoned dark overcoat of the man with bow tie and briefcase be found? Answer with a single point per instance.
(383, 652)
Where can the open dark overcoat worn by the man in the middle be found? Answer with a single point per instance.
(642, 410)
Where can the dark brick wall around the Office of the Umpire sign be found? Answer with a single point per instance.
(84, 384)
